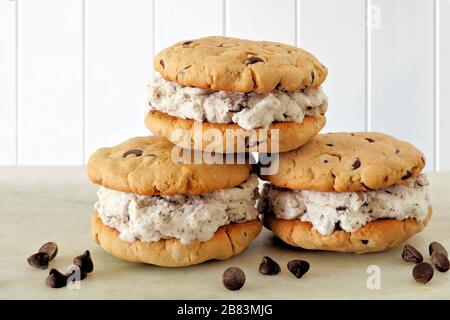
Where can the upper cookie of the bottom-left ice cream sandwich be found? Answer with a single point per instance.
(144, 166)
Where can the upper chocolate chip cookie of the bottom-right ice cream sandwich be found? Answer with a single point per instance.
(348, 162)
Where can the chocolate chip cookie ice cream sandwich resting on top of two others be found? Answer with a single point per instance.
(231, 89)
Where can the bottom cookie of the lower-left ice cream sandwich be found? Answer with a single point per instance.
(228, 241)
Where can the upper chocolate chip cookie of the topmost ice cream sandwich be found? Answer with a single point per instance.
(230, 64)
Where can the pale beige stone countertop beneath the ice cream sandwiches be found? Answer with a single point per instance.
(40, 204)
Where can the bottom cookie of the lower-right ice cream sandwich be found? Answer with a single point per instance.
(378, 235)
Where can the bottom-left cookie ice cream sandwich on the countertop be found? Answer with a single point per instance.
(155, 210)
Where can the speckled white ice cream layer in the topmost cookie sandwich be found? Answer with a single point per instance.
(248, 110)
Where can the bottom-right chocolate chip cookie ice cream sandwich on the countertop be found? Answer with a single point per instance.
(349, 192)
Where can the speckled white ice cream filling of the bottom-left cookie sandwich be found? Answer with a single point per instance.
(185, 217)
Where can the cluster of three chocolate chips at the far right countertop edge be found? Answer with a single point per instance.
(423, 271)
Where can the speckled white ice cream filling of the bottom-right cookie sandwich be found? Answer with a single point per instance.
(349, 211)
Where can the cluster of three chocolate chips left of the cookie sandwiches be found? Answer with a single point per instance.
(81, 266)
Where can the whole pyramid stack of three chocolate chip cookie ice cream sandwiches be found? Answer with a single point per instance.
(216, 100)
